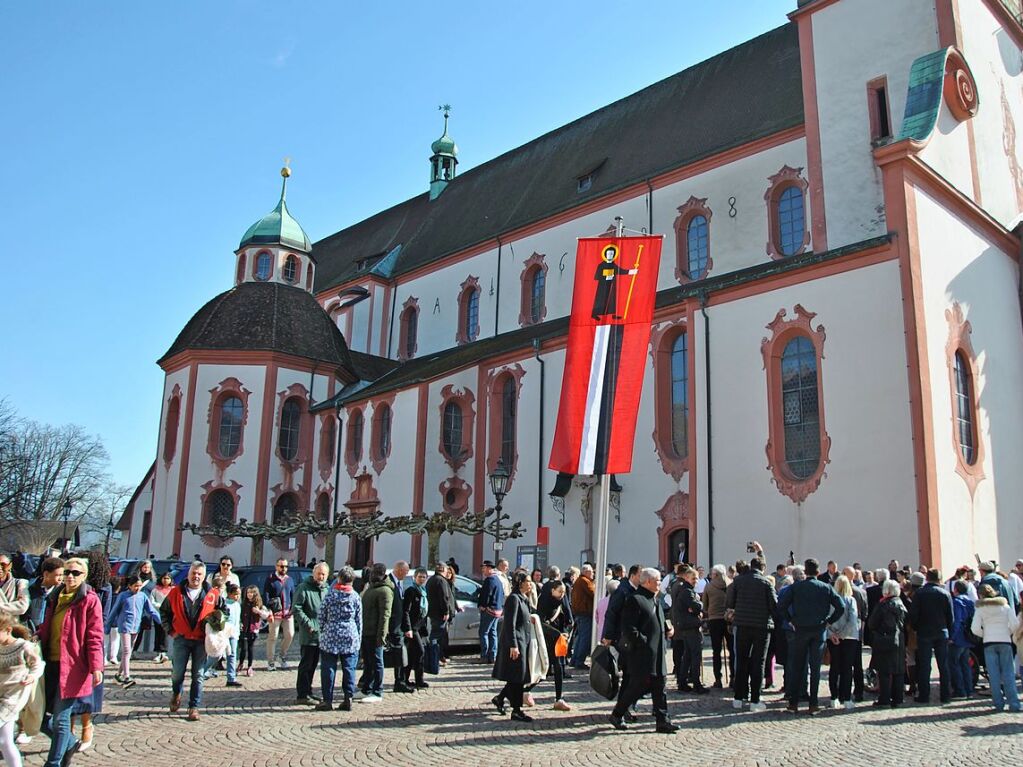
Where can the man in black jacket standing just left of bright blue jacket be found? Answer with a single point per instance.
(931, 617)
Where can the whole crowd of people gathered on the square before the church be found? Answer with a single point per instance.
(61, 629)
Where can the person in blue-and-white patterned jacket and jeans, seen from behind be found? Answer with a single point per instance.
(340, 640)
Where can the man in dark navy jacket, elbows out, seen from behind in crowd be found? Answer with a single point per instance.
(811, 606)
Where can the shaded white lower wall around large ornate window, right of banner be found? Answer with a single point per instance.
(865, 509)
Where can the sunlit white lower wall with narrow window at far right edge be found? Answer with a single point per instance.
(958, 265)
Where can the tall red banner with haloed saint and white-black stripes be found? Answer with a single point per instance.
(609, 334)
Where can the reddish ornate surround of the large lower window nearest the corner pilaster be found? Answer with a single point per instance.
(783, 331)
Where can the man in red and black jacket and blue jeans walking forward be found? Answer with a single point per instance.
(184, 614)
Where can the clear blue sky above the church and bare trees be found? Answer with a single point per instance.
(141, 141)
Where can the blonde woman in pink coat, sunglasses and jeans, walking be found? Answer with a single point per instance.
(72, 643)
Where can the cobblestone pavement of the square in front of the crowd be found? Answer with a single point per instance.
(260, 727)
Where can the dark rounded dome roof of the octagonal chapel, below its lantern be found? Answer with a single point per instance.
(265, 317)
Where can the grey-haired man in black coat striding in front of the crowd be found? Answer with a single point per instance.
(645, 638)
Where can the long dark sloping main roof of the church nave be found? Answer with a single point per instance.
(746, 94)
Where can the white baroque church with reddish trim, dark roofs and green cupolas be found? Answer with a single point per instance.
(836, 364)
